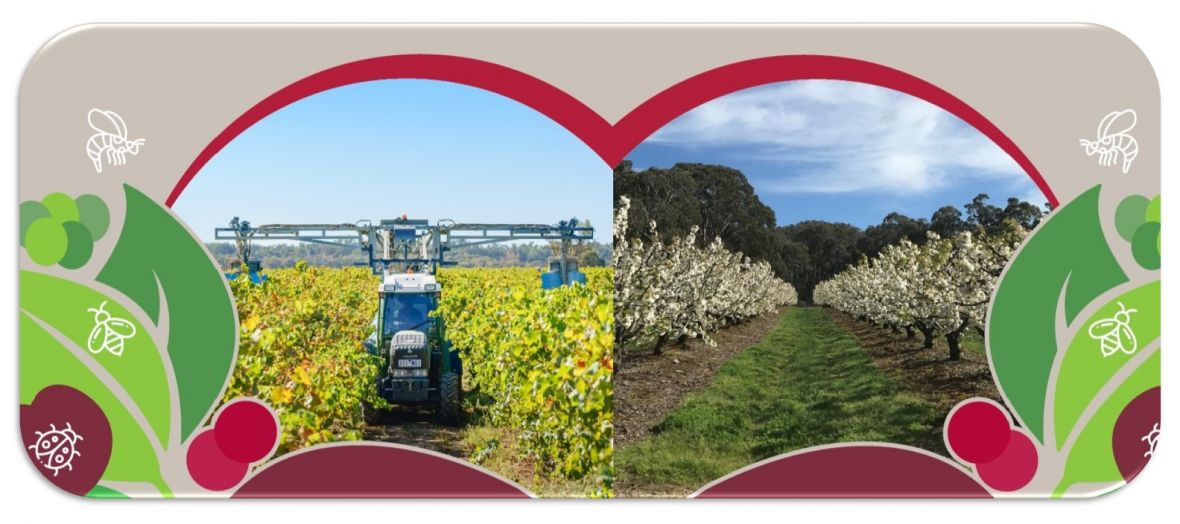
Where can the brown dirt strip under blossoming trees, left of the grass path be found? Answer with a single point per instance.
(650, 387)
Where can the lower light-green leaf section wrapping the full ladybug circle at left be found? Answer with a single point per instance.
(45, 363)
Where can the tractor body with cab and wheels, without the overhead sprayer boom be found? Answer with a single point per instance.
(421, 368)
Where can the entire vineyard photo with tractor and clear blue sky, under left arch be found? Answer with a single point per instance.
(422, 264)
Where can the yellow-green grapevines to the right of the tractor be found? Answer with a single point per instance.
(545, 358)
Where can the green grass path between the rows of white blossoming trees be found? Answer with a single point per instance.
(807, 384)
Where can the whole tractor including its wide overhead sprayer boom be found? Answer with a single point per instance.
(421, 365)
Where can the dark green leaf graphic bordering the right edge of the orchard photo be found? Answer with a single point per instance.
(1067, 252)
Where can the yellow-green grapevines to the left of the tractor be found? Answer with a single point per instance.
(301, 351)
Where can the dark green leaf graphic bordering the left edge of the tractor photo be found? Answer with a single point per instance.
(156, 254)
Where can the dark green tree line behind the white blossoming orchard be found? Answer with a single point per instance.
(722, 204)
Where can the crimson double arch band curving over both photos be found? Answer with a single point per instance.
(613, 143)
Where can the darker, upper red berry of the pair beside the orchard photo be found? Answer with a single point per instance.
(978, 431)
